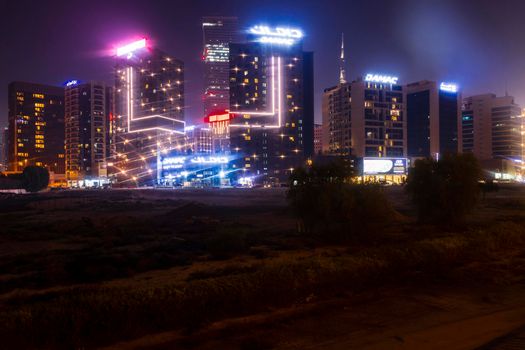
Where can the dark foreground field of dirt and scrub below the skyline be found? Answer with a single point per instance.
(226, 269)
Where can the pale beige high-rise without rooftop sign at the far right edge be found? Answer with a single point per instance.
(492, 127)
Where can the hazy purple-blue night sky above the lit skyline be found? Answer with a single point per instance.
(478, 44)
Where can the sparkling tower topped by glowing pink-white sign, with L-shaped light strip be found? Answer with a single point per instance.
(149, 112)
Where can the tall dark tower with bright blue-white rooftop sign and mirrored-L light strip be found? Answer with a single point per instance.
(271, 99)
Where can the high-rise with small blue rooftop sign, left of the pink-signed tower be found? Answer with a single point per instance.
(87, 123)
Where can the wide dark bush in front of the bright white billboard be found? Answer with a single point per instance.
(326, 202)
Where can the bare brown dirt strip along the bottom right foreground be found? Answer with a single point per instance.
(442, 318)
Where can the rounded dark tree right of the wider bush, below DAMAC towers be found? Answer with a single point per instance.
(447, 190)
